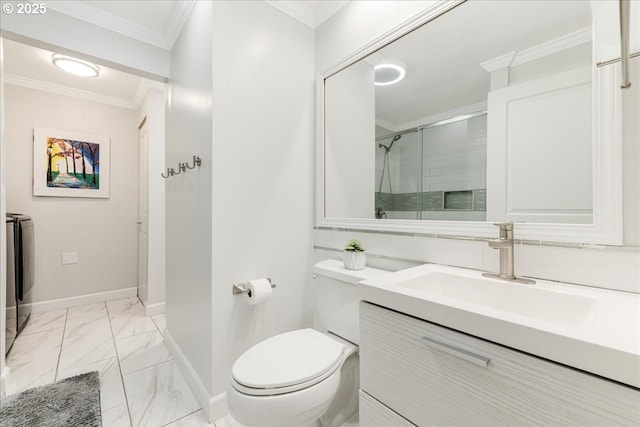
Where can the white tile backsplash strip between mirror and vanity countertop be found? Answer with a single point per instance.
(607, 267)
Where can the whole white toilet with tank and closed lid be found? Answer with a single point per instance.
(306, 377)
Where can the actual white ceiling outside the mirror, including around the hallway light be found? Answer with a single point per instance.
(154, 22)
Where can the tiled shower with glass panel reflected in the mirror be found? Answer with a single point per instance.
(453, 162)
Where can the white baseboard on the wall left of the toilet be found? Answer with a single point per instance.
(213, 407)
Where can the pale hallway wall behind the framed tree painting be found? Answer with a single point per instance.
(101, 231)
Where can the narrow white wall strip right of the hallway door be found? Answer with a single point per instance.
(153, 109)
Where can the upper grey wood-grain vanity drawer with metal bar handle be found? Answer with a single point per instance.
(436, 376)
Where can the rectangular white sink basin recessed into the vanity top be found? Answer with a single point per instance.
(515, 298)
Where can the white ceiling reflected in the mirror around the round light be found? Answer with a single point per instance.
(444, 57)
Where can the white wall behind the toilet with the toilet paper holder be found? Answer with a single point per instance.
(263, 86)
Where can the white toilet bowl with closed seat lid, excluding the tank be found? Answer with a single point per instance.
(288, 380)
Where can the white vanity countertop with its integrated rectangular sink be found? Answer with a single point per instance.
(592, 329)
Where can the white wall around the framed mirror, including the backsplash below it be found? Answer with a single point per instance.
(618, 268)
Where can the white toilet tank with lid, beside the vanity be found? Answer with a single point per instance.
(336, 297)
